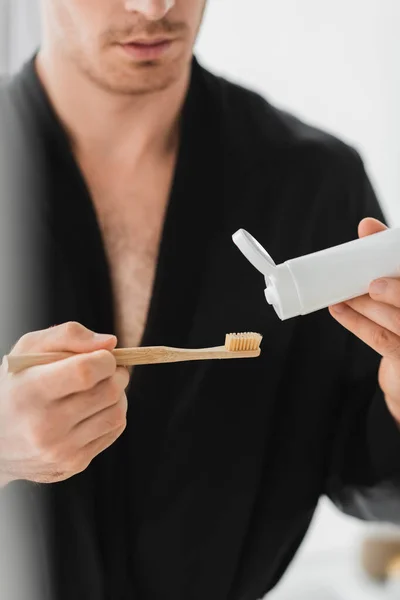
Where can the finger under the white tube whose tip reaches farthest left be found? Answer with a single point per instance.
(380, 339)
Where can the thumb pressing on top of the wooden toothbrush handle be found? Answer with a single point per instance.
(68, 337)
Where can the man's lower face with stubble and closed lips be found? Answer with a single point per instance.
(124, 46)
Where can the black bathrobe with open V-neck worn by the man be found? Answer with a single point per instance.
(210, 490)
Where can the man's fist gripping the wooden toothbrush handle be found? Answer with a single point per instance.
(54, 419)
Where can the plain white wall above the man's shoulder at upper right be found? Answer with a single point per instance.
(335, 64)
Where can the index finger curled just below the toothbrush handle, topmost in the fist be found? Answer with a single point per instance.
(69, 376)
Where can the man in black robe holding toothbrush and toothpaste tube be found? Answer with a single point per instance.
(140, 166)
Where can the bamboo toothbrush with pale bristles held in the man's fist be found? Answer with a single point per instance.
(237, 345)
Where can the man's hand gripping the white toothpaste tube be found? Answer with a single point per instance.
(375, 319)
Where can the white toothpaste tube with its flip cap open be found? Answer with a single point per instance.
(309, 283)
